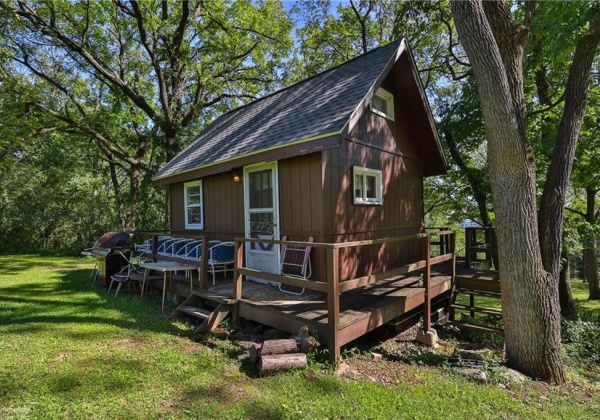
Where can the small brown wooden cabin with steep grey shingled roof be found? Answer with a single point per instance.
(340, 156)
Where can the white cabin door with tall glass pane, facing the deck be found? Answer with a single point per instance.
(261, 199)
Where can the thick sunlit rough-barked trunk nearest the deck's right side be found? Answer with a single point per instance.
(529, 299)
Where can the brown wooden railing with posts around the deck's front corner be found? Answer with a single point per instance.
(333, 287)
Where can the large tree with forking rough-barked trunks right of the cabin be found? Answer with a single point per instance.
(495, 44)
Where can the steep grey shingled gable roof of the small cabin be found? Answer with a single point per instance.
(324, 105)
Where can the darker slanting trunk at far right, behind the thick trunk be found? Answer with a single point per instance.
(555, 188)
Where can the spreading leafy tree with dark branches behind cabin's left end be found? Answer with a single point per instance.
(139, 78)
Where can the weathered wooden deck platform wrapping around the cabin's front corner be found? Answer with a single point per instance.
(361, 310)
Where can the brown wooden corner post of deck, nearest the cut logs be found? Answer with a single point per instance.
(333, 304)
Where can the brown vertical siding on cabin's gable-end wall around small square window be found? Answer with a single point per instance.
(374, 143)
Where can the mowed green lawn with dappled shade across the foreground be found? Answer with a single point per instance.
(69, 350)
